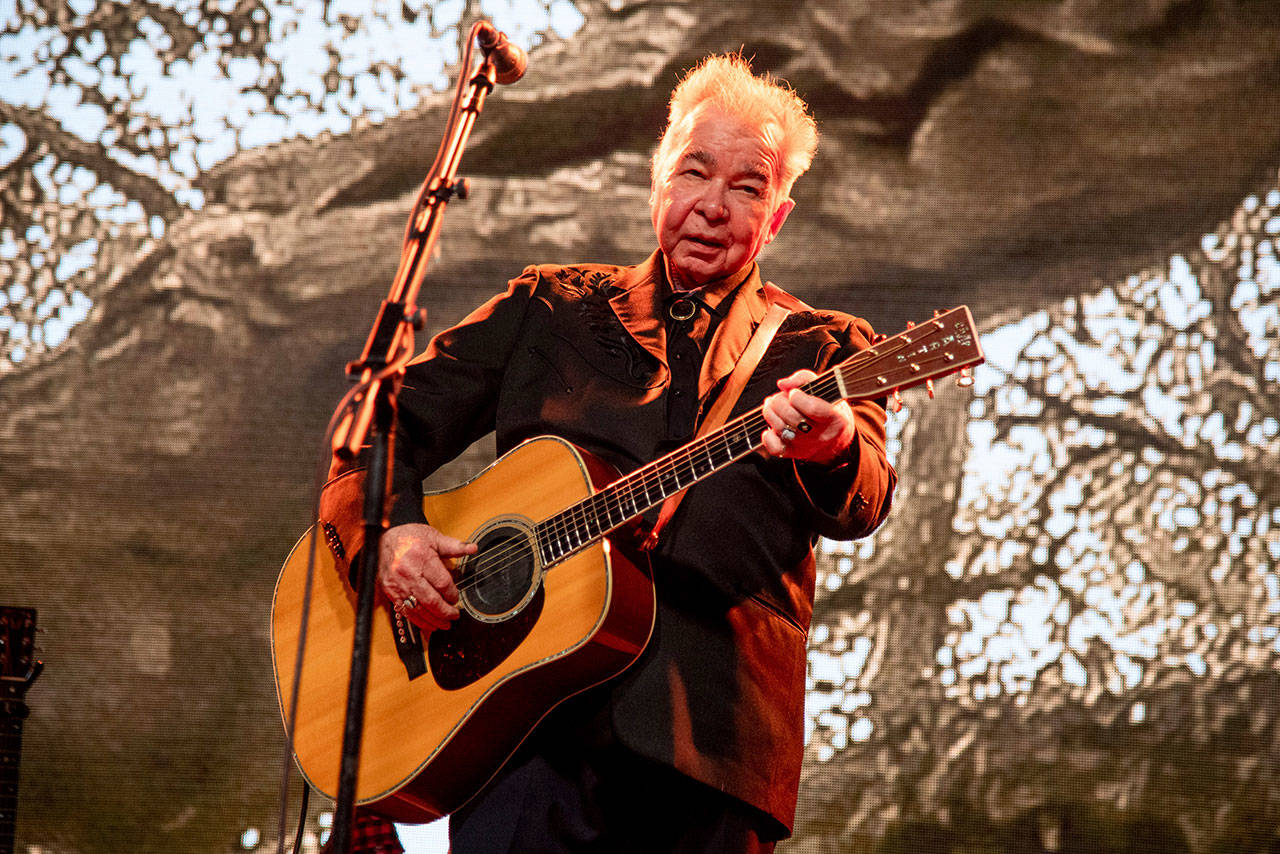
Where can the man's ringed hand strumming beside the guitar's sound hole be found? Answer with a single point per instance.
(418, 561)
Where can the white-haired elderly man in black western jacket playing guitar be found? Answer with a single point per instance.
(697, 747)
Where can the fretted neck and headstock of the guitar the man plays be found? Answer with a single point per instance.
(943, 346)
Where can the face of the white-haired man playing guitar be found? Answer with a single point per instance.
(716, 203)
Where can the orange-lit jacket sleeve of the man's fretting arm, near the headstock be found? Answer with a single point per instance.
(851, 497)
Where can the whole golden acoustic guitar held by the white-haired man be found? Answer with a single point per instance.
(550, 605)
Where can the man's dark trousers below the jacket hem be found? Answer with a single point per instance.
(587, 801)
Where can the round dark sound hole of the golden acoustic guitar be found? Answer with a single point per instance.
(502, 576)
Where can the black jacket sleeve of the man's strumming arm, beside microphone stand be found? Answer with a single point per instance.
(451, 392)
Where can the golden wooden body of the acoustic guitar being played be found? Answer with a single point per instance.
(444, 714)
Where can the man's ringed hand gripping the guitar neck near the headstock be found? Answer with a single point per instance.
(803, 427)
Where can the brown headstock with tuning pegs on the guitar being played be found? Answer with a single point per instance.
(945, 345)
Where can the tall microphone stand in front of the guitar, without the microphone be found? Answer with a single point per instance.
(382, 369)
